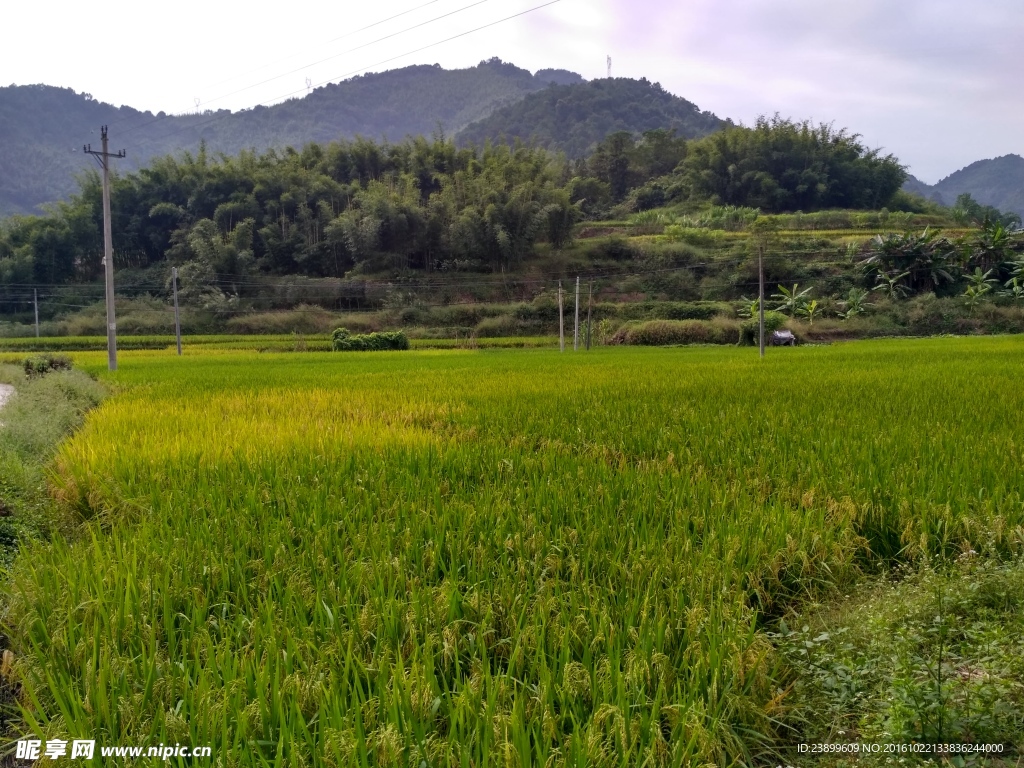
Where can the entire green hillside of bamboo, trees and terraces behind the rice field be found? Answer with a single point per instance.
(452, 243)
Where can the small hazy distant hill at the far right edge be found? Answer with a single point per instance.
(998, 183)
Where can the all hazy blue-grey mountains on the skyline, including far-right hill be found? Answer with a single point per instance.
(46, 127)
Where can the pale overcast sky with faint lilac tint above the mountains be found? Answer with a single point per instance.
(936, 82)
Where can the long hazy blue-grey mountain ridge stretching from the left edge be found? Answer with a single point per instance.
(46, 127)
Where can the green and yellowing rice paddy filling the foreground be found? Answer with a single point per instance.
(493, 558)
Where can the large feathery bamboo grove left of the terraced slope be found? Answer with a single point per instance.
(324, 211)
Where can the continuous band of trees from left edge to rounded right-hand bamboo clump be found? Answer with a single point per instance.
(361, 207)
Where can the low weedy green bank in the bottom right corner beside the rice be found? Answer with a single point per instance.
(934, 657)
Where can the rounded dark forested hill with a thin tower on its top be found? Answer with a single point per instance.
(576, 118)
